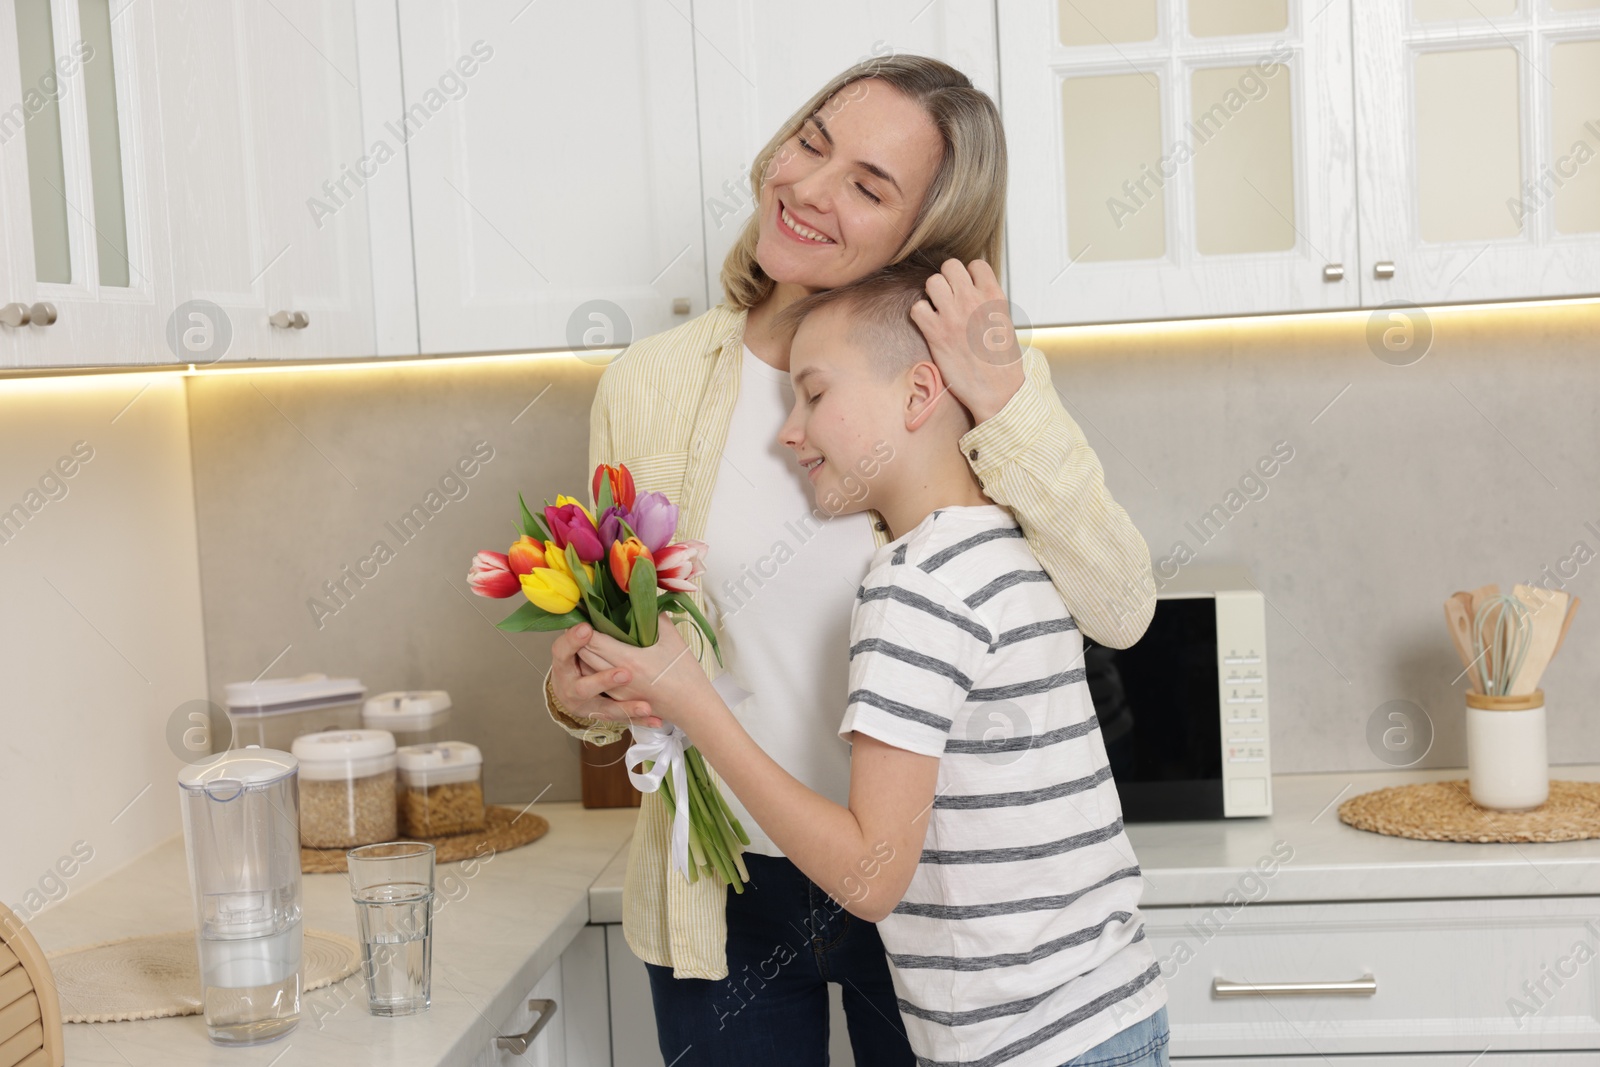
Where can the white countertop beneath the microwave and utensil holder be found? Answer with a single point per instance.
(1201, 863)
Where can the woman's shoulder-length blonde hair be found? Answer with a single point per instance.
(962, 215)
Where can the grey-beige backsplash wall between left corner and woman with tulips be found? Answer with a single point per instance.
(308, 481)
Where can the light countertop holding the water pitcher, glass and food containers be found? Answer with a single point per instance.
(495, 933)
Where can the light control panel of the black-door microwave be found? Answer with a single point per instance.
(1242, 676)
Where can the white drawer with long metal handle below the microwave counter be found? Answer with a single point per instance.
(1452, 977)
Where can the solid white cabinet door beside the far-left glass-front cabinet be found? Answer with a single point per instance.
(262, 142)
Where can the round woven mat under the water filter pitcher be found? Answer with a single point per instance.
(159, 977)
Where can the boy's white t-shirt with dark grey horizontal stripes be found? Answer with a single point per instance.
(1020, 940)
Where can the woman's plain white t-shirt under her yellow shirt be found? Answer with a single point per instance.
(780, 583)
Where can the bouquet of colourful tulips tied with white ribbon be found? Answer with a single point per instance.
(618, 575)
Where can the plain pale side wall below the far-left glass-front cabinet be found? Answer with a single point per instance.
(102, 645)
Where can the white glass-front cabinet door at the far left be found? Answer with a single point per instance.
(82, 201)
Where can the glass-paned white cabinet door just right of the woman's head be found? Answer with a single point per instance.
(1177, 159)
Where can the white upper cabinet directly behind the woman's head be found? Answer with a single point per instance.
(756, 63)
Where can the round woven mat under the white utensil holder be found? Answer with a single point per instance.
(1444, 812)
